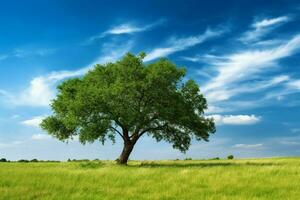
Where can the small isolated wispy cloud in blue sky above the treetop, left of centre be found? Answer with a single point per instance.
(126, 28)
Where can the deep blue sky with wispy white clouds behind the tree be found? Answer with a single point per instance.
(243, 54)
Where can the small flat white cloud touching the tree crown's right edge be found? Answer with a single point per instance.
(235, 119)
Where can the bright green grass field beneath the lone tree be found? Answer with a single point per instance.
(276, 178)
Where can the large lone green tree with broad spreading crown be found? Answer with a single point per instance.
(130, 99)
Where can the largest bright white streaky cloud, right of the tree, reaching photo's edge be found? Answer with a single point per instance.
(242, 72)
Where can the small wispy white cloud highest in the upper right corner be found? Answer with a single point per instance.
(263, 27)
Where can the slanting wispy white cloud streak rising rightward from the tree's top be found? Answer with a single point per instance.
(175, 44)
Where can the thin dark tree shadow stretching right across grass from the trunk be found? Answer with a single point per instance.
(203, 164)
